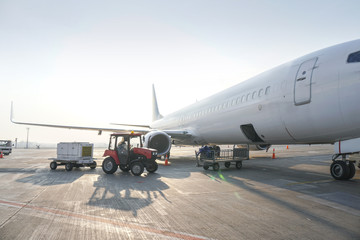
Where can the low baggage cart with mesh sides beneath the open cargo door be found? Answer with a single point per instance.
(212, 157)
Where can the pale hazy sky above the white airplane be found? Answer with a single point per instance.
(90, 63)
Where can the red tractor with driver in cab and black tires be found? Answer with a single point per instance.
(126, 151)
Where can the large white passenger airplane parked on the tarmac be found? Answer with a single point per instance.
(313, 99)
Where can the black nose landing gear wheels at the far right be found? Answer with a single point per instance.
(342, 169)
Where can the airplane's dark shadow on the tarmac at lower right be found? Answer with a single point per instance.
(261, 183)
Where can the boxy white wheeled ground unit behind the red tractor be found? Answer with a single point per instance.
(74, 154)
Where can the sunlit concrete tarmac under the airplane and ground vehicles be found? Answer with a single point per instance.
(290, 197)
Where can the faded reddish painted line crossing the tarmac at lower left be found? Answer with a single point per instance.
(166, 233)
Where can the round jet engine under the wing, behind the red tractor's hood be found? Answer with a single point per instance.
(158, 140)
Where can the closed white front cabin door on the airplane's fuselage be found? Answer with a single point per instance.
(302, 91)
